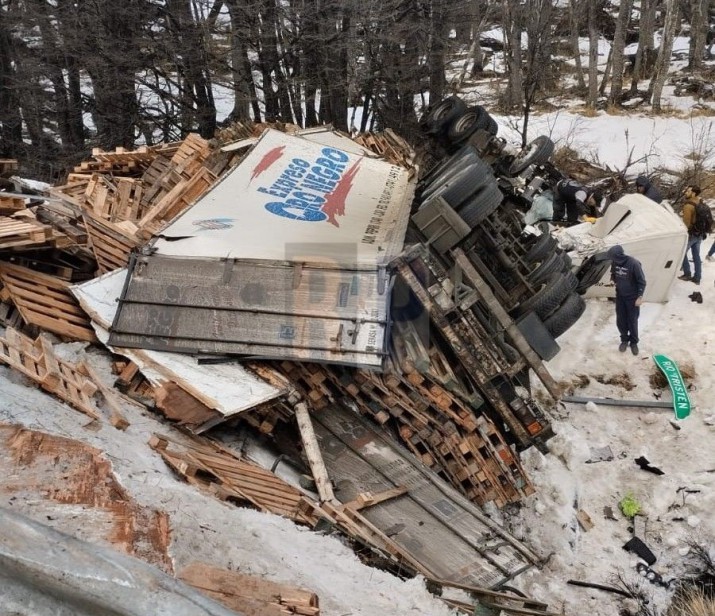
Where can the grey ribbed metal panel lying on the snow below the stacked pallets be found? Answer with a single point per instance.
(435, 524)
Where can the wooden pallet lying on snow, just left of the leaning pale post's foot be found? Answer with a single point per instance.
(209, 466)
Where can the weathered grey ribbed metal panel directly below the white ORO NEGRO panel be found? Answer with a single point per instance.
(275, 310)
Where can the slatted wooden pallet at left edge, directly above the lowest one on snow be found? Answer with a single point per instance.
(46, 301)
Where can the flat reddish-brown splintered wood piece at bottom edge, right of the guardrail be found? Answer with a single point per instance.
(248, 594)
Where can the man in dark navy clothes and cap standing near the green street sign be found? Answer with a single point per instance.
(628, 276)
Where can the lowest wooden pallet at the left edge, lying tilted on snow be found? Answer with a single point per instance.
(36, 360)
